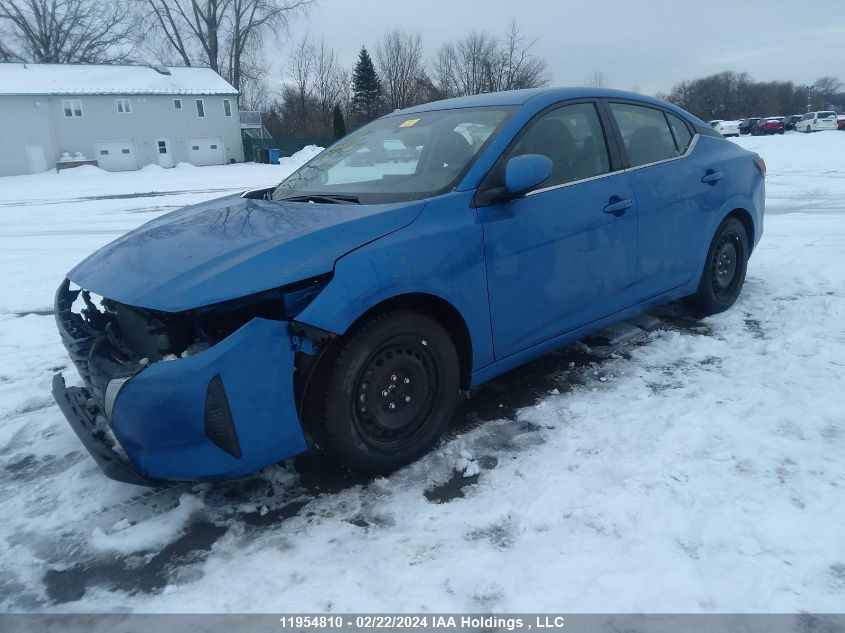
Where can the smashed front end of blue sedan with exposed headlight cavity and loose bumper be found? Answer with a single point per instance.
(202, 394)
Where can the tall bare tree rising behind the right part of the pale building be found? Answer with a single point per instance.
(224, 35)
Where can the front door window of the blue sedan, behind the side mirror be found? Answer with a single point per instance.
(572, 137)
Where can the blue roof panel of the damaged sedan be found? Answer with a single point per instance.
(522, 97)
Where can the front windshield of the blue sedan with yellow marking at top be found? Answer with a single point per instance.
(396, 158)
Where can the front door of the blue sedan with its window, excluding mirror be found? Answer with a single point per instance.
(565, 254)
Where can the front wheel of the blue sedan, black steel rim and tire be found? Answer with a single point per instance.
(388, 395)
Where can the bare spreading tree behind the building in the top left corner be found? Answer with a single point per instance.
(66, 31)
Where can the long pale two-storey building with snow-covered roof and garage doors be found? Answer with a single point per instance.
(124, 117)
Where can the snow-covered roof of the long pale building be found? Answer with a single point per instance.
(82, 79)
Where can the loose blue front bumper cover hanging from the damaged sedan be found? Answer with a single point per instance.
(219, 414)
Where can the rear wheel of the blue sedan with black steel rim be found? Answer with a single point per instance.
(724, 269)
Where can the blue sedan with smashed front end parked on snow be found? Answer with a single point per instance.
(347, 308)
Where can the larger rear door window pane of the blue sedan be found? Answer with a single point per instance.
(645, 133)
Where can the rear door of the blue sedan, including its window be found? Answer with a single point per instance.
(676, 187)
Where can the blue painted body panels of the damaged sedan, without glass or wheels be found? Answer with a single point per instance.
(525, 276)
